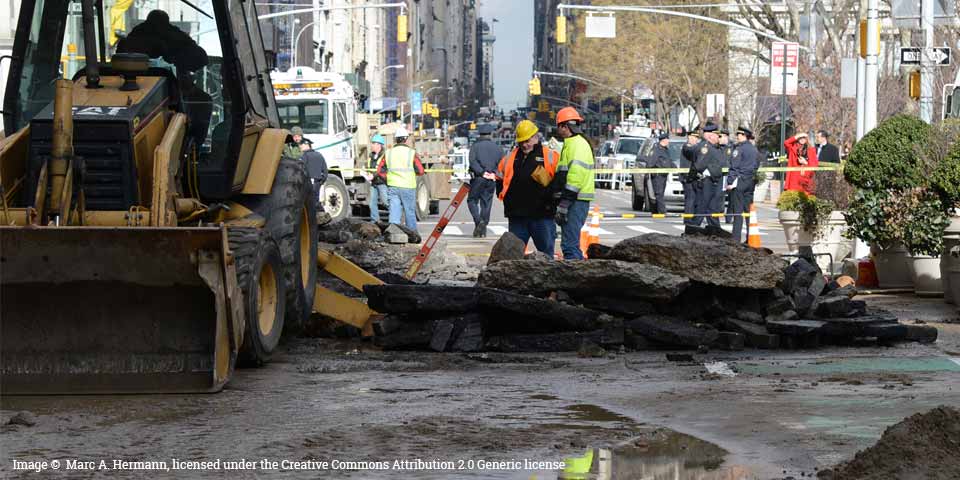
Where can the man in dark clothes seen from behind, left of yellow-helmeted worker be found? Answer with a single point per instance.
(484, 157)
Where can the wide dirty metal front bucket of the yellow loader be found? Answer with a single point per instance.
(116, 310)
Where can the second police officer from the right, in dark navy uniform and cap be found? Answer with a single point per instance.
(708, 168)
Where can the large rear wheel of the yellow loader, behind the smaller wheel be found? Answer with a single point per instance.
(291, 213)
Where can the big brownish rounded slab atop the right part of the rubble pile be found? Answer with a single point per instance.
(703, 259)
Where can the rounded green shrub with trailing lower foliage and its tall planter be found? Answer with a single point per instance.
(882, 166)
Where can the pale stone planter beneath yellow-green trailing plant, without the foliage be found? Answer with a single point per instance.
(830, 239)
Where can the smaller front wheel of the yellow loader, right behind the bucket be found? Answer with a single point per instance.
(260, 278)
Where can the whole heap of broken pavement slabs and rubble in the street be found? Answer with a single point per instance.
(653, 291)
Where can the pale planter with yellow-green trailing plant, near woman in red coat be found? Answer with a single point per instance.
(811, 221)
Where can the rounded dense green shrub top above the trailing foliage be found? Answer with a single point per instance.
(886, 158)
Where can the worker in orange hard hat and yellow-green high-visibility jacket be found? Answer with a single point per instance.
(573, 184)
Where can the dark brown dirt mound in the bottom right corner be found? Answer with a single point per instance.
(923, 446)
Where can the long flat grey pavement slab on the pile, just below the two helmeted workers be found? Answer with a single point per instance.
(607, 277)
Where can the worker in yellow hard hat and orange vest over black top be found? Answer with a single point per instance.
(523, 184)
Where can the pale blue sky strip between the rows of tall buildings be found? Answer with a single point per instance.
(513, 50)
